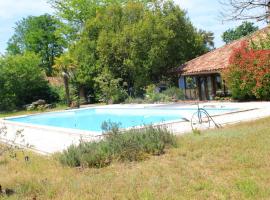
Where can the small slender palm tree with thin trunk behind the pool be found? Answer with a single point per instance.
(64, 66)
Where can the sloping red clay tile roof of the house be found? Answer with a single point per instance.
(217, 60)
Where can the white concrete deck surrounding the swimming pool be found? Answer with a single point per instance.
(47, 140)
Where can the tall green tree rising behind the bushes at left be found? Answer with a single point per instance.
(40, 35)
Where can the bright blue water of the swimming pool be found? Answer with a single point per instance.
(91, 119)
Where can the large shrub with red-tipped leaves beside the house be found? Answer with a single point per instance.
(248, 75)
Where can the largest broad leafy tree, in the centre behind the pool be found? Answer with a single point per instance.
(136, 43)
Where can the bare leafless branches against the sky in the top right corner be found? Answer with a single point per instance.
(246, 9)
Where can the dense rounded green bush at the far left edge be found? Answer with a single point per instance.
(22, 81)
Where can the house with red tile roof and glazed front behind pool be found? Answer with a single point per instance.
(201, 77)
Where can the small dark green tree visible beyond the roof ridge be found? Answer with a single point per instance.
(244, 29)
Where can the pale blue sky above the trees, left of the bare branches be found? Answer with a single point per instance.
(204, 14)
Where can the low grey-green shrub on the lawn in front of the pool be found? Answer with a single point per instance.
(132, 145)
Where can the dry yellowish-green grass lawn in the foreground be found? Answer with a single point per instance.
(230, 163)
